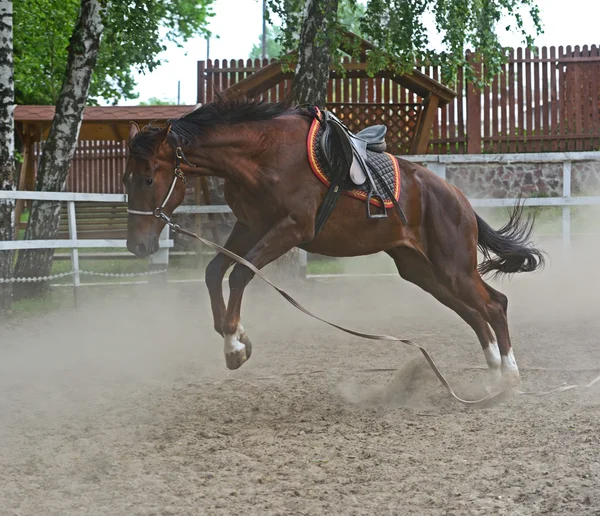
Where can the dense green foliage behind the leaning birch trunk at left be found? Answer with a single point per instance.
(135, 33)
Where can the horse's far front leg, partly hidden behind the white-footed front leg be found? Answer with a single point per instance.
(240, 241)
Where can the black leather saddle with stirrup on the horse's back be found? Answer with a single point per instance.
(346, 156)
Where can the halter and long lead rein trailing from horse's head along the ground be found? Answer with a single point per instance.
(159, 213)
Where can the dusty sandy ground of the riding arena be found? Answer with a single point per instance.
(125, 407)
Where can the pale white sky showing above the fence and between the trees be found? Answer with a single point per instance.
(238, 25)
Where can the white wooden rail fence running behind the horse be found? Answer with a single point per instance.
(436, 163)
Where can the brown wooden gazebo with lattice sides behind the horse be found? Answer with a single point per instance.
(406, 103)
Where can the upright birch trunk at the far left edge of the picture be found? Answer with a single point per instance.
(7, 147)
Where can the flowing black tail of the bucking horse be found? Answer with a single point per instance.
(514, 253)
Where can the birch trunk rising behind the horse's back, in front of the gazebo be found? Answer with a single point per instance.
(317, 38)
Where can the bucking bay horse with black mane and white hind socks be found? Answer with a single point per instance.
(260, 151)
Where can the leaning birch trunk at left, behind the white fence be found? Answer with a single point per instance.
(61, 143)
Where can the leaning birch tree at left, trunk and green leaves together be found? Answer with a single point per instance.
(134, 33)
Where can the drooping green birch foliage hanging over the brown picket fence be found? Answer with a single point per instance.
(398, 28)
